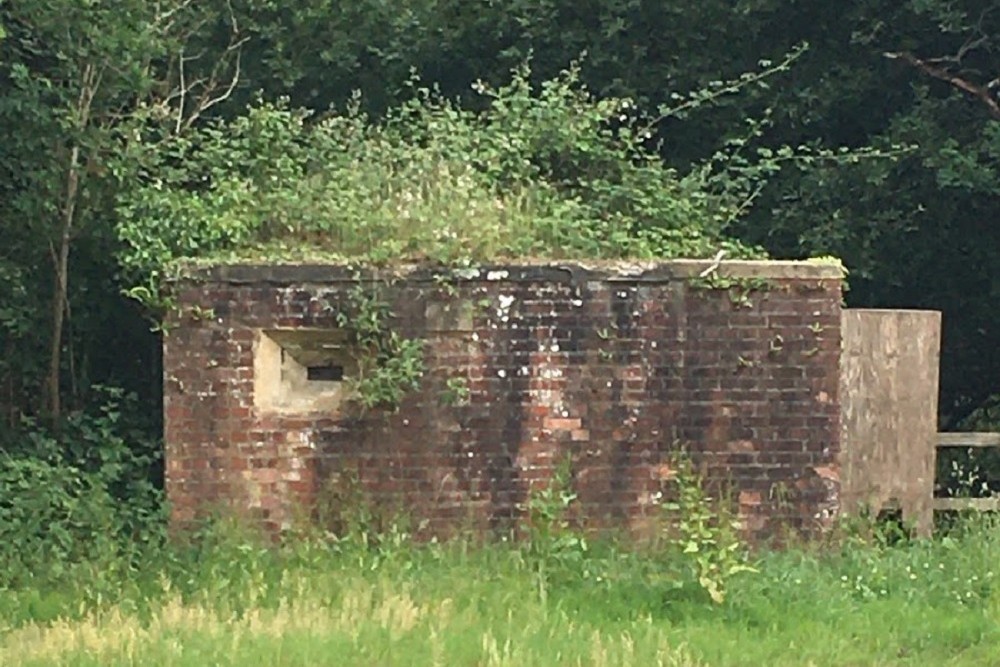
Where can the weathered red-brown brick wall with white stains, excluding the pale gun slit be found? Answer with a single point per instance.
(617, 366)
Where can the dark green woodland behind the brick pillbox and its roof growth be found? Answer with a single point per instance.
(96, 96)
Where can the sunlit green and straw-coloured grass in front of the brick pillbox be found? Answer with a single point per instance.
(229, 602)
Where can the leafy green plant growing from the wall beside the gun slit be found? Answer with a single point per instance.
(389, 365)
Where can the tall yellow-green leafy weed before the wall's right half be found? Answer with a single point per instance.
(707, 532)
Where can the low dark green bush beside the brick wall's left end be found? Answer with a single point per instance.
(84, 495)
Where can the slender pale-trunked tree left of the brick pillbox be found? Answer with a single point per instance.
(79, 79)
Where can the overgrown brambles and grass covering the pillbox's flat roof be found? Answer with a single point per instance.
(545, 171)
